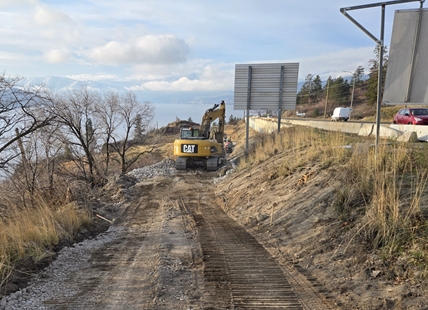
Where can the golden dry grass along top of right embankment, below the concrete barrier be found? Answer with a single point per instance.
(382, 194)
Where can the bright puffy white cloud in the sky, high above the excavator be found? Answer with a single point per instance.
(160, 49)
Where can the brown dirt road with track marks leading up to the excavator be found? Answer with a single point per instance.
(173, 247)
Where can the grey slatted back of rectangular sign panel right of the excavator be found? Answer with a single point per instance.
(266, 86)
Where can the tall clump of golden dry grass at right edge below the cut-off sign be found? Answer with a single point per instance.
(394, 214)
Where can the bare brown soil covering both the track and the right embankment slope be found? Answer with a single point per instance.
(280, 247)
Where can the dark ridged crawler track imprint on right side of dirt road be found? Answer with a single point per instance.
(238, 272)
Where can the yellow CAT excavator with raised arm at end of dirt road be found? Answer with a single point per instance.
(203, 143)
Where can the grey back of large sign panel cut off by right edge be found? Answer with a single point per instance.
(407, 73)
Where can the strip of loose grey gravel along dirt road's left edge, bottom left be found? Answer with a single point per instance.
(52, 281)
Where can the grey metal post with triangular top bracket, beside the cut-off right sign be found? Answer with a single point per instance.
(380, 43)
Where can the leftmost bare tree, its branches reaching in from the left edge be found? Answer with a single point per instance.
(22, 112)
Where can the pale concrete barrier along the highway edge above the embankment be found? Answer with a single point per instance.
(404, 133)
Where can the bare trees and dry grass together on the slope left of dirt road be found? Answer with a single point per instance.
(56, 151)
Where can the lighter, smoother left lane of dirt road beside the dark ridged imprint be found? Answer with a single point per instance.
(151, 264)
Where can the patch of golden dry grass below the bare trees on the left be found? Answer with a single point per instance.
(32, 232)
